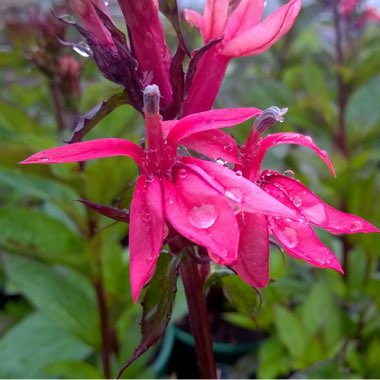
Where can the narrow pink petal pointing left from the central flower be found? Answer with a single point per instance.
(87, 150)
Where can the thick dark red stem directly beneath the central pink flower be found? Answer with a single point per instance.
(199, 319)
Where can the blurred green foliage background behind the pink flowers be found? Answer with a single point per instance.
(65, 300)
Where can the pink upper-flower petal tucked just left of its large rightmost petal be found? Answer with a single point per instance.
(246, 15)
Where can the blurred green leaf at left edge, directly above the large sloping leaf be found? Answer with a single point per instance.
(30, 231)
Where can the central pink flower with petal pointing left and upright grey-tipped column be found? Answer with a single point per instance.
(198, 199)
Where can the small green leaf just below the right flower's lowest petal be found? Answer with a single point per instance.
(242, 296)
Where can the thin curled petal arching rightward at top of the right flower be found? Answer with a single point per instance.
(275, 139)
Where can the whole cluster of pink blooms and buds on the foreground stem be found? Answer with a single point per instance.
(228, 209)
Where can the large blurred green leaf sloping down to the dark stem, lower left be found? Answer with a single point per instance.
(58, 294)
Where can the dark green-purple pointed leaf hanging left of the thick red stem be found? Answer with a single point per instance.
(157, 304)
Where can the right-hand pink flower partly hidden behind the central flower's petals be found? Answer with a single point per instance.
(296, 236)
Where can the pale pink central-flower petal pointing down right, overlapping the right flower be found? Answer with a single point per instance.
(242, 194)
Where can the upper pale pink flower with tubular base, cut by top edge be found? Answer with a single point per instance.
(242, 34)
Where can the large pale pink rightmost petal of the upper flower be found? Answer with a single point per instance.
(262, 36)
